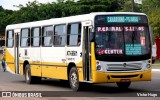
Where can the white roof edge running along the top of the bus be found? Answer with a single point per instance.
(63, 20)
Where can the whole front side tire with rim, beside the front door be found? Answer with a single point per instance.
(74, 79)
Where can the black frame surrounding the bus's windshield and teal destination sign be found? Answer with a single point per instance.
(146, 56)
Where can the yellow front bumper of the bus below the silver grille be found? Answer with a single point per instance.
(104, 77)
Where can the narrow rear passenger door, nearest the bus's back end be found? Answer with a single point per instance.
(16, 52)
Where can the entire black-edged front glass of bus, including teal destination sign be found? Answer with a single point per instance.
(123, 36)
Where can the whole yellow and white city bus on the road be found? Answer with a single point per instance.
(98, 47)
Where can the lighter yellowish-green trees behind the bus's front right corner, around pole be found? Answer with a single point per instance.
(151, 8)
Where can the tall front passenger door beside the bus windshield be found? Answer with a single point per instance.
(86, 53)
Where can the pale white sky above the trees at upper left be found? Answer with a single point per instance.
(8, 4)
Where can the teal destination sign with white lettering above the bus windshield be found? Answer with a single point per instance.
(123, 19)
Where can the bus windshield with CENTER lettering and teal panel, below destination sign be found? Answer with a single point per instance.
(123, 40)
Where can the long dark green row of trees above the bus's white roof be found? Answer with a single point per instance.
(34, 11)
